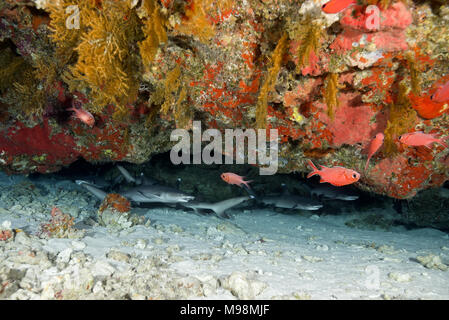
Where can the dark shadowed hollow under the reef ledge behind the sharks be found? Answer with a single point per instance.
(430, 208)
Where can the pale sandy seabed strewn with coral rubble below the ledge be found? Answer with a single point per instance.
(258, 254)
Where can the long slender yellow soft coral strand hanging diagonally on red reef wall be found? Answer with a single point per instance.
(270, 81)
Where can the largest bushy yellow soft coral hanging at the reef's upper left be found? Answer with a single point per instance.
(105, 62)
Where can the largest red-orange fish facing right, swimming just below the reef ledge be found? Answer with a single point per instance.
(336, 176)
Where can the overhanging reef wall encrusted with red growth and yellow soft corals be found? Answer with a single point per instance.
(327, 82)
